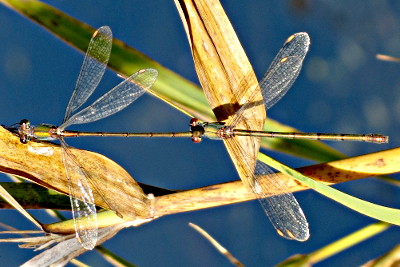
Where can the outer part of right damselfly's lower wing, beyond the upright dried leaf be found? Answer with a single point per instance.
(279, 204)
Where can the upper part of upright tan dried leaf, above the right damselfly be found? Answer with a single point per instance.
(221, 63)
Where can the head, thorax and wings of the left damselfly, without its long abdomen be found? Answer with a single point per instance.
(93, 68)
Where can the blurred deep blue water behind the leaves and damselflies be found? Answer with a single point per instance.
(342, 88)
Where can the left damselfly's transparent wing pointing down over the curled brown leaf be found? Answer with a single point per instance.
(82, 201)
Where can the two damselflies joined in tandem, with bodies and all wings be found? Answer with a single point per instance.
(288, 219)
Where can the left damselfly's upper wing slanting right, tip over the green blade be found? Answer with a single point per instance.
(116, 99)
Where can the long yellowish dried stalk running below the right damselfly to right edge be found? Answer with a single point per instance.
(235, 192)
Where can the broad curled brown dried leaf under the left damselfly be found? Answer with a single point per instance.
(42, 163)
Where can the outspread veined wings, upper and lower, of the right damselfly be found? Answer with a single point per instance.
(276, 199)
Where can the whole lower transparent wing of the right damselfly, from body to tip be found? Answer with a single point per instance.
(274, 196)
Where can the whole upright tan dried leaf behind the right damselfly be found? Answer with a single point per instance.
(225, 74)
